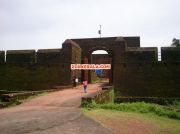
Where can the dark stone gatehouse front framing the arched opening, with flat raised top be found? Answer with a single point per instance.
(115, 46)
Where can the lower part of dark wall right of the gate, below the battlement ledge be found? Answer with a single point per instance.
(150, 80)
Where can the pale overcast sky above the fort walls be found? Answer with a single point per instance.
(37, 24)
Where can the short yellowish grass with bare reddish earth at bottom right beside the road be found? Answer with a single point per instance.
(126, 122)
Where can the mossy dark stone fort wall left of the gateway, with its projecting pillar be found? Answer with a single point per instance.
(31, 70)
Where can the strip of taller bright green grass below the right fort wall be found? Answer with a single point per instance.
(138, 107)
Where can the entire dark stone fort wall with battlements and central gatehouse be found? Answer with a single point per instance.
(135, 71)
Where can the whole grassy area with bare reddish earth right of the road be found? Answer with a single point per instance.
(137, 117)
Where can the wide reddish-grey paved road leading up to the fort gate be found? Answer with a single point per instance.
(56, 113)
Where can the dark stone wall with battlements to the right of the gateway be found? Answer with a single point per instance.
(141, 75)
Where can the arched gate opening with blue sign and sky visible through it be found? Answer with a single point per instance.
(99, 55)
